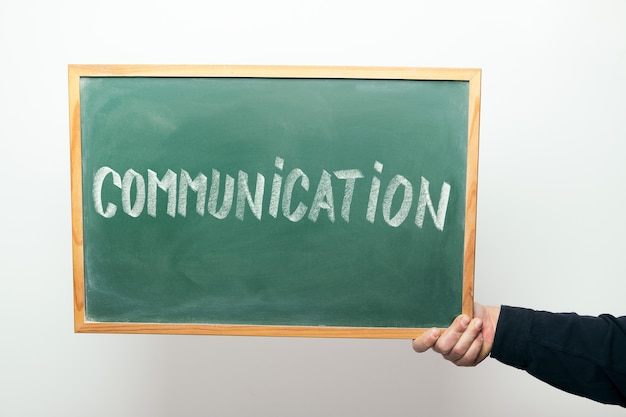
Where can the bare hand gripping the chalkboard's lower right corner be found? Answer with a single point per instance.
(466, 342)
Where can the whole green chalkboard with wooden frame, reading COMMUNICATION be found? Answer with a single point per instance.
(286, 201)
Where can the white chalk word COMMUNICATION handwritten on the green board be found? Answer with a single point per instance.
(138, 194)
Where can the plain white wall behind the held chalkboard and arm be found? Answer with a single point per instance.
(552, 190)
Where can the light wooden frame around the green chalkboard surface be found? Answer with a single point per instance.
(75, 72)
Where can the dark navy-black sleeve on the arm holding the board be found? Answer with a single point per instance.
(582, 355)
